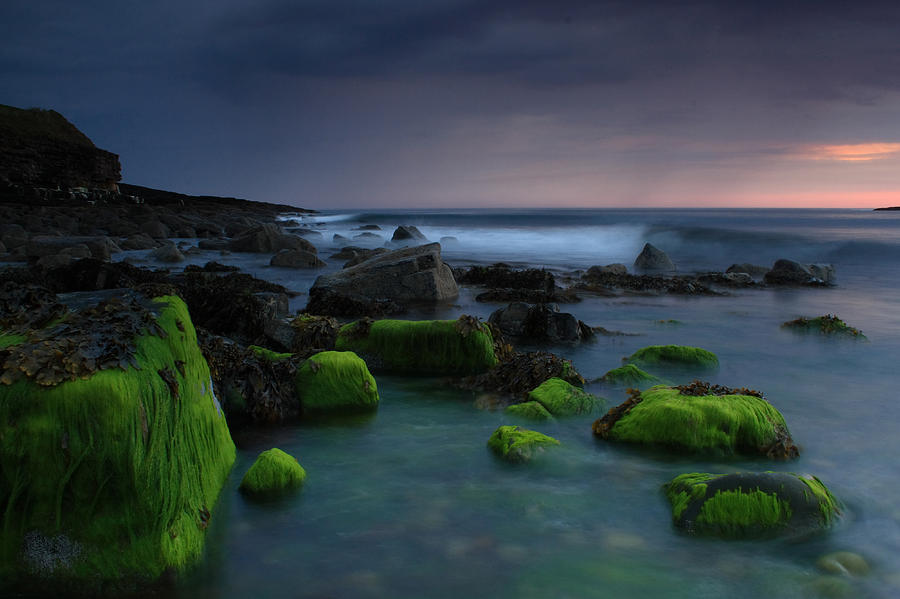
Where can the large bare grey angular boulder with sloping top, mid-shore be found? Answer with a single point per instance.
(408, 275)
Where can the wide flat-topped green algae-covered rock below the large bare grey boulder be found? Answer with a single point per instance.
(463, 346)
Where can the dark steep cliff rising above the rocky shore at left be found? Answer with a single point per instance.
(41, 148)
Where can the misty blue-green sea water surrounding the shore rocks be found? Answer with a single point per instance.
(410, 503)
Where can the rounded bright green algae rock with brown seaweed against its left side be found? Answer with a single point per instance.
(336, 381)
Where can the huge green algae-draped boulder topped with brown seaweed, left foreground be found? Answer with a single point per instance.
(113, 446)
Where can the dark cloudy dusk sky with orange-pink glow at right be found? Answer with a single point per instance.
(476, 103)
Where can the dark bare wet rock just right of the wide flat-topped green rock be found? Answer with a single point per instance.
(539, 323)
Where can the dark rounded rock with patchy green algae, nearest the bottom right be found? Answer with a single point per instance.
(750, 504)
